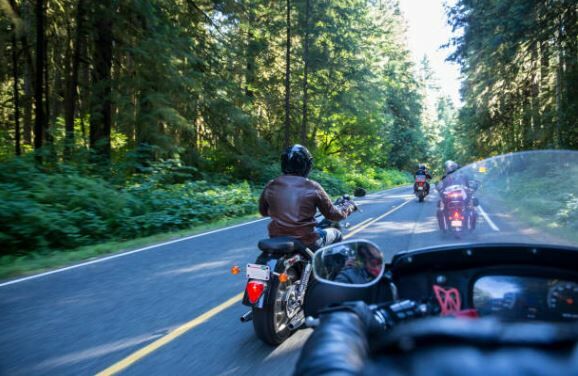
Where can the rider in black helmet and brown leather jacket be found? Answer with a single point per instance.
(291, 200)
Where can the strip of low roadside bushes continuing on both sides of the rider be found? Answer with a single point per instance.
(65, 207)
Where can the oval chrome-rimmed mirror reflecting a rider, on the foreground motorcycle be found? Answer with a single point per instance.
(354, 263)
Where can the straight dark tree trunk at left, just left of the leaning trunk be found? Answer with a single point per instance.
(40, 120)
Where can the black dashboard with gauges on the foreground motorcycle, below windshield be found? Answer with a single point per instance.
(509, 281)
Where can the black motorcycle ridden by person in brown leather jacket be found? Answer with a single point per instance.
(277, 283)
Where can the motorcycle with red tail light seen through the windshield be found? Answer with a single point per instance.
(457, 210)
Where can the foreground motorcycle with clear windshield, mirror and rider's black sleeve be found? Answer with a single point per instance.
(513, 298)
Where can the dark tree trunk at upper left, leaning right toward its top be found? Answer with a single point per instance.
(70, 95)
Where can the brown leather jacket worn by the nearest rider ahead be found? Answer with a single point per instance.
(291, 202)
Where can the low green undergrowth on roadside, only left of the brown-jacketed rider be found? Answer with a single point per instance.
(63, 209)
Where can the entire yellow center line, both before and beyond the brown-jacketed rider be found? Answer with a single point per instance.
(140, 354)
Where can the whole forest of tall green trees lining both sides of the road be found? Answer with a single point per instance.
(126, 118)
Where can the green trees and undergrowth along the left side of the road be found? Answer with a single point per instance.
(197, 111)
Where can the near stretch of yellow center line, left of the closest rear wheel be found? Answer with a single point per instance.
(136, 356)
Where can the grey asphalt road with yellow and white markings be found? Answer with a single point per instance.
(85, 319)
